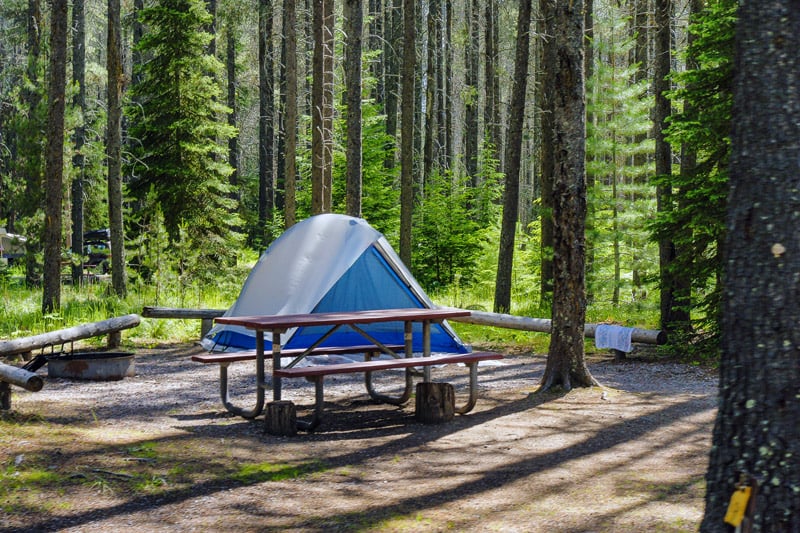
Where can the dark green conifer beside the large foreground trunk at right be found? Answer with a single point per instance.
(696, 221)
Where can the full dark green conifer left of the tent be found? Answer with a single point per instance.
(177, 126)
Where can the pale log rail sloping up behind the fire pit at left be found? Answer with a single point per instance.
(110, 327)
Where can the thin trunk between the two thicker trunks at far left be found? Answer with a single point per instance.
(79, 137)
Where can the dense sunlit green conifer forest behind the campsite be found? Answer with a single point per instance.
(186, 158)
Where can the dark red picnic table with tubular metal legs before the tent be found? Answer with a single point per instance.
(277, 325)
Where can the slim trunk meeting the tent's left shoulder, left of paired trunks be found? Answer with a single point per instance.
(290, 112)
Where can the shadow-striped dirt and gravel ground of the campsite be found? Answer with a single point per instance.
(158, 452)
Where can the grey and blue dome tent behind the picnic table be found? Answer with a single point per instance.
(329, 263)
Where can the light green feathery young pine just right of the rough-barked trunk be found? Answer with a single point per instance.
(620, 116)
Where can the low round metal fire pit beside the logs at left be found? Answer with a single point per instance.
(96, 366)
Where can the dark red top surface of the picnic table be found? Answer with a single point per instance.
(273, 322)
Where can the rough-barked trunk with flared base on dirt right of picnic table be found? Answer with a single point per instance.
(566, 366)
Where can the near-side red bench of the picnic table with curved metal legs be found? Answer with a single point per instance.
(317, 373)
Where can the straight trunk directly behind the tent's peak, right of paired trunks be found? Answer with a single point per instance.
(354, 26)
